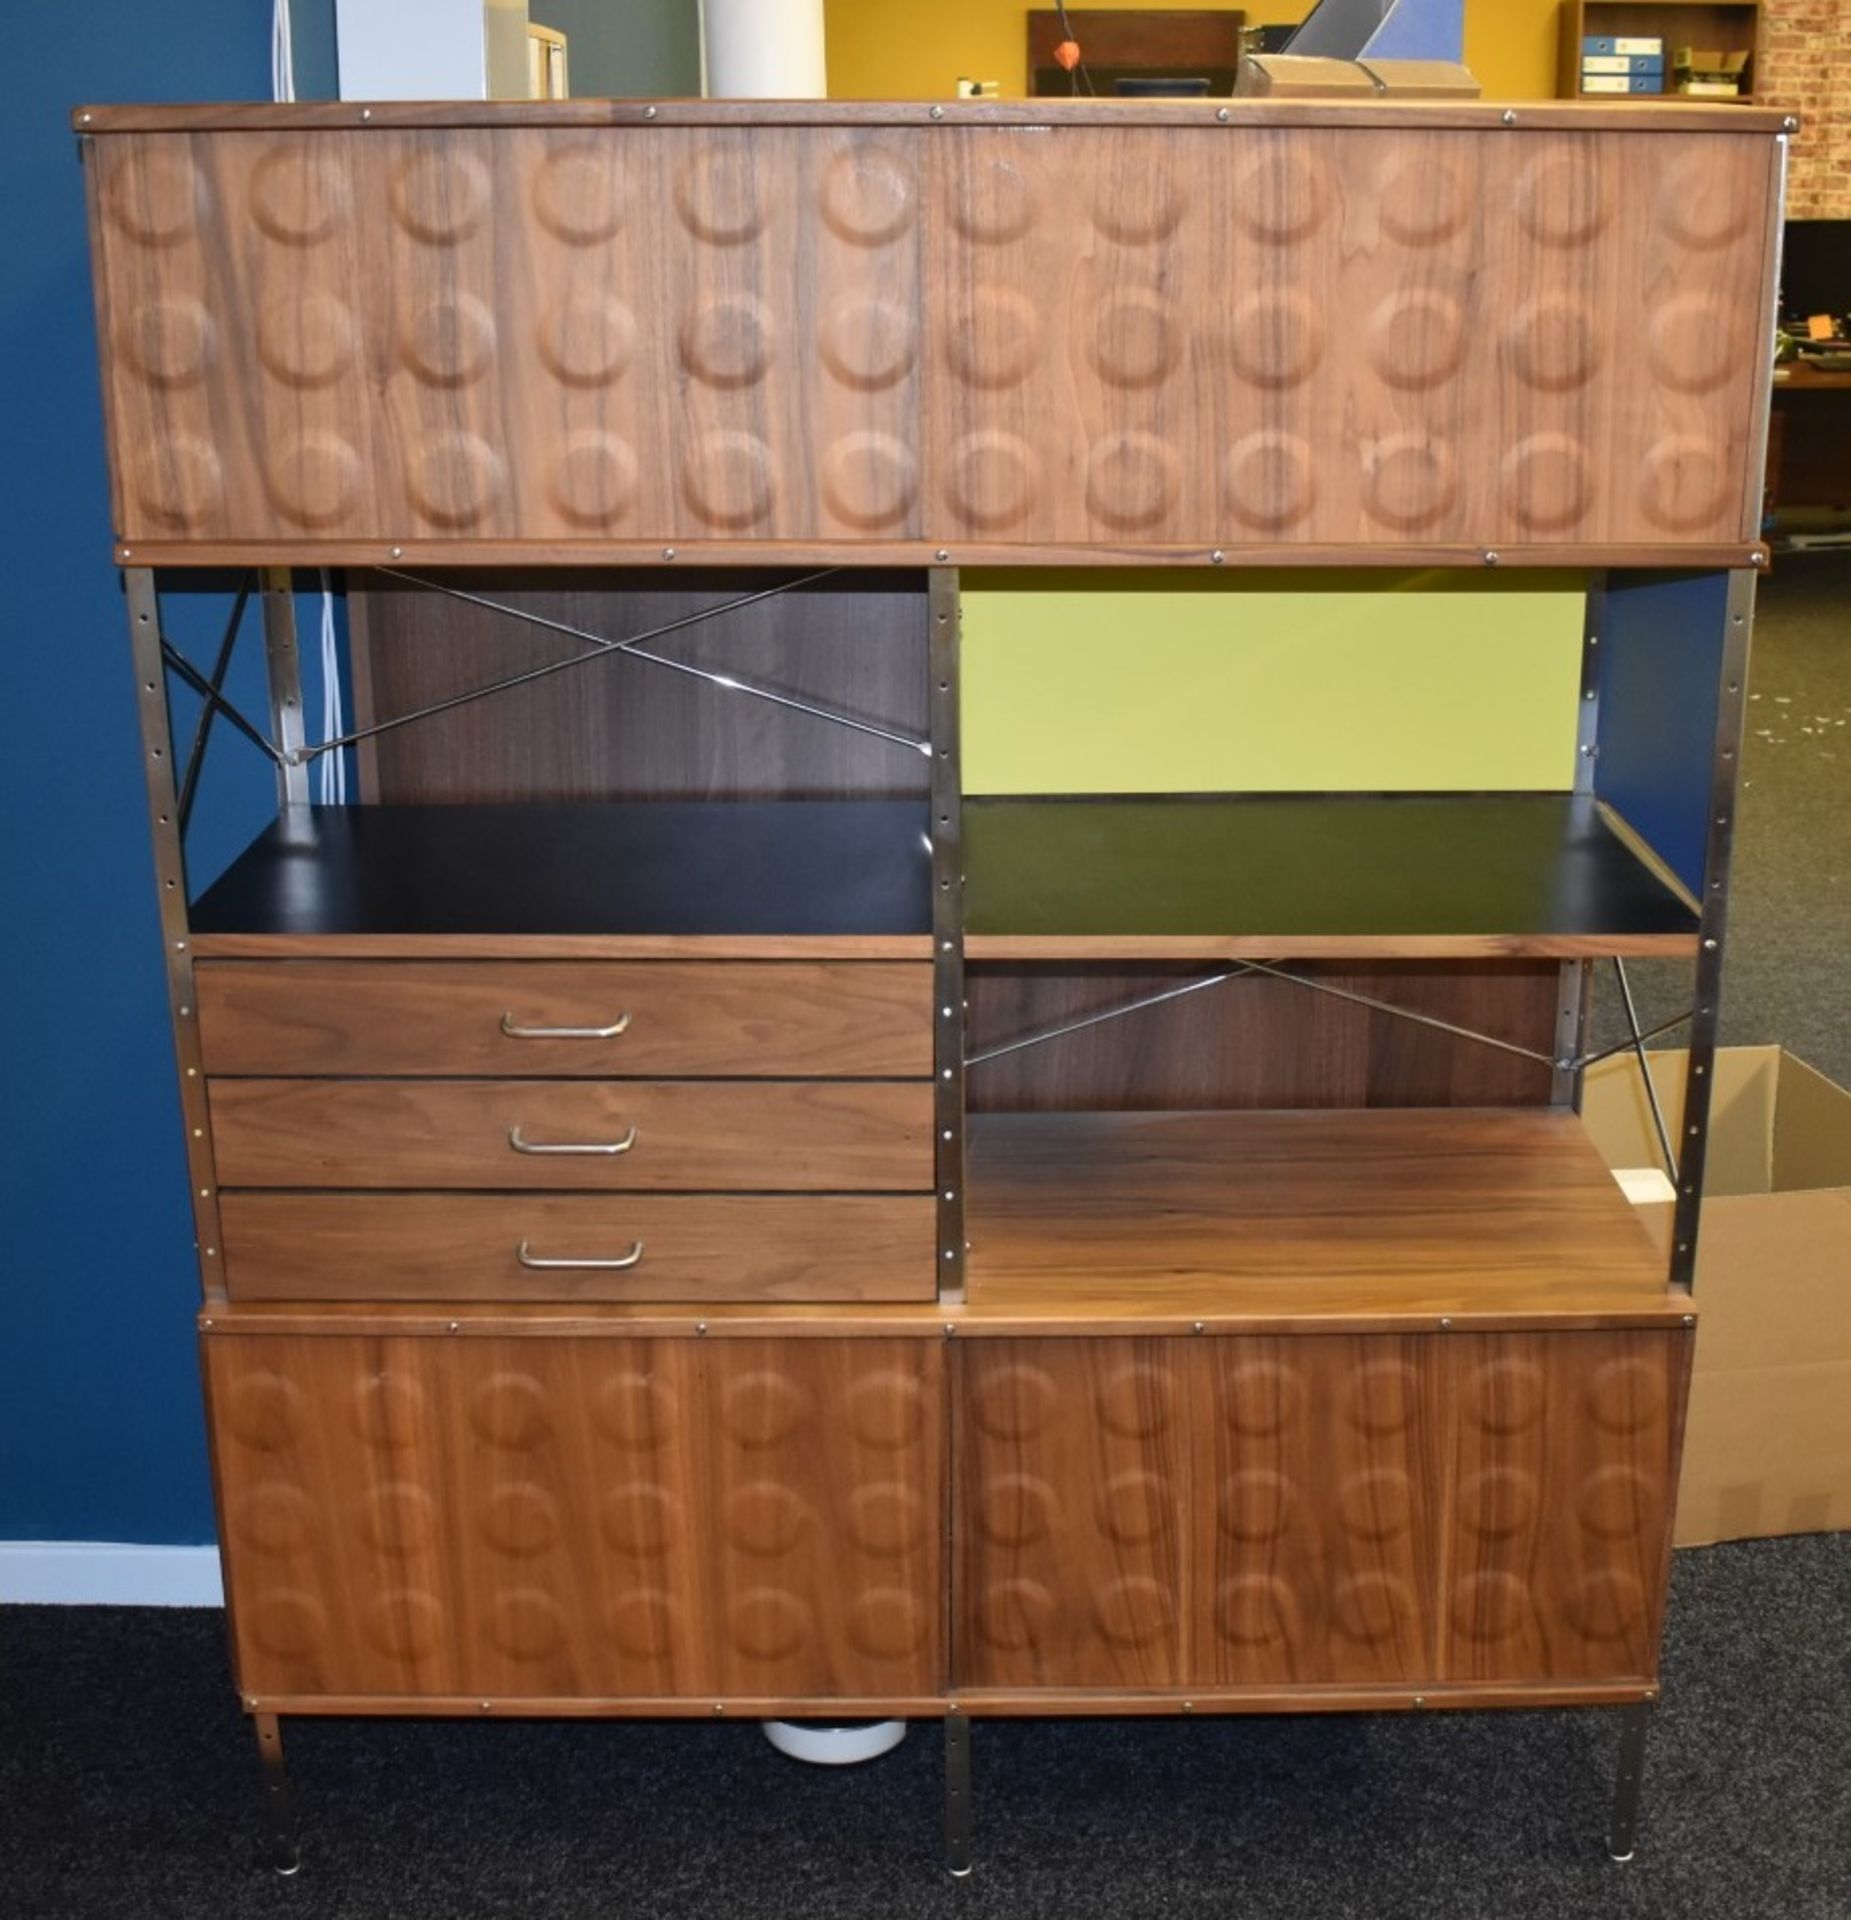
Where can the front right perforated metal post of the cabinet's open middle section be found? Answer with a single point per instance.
(1714, 923)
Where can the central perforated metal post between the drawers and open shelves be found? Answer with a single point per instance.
(948, 928)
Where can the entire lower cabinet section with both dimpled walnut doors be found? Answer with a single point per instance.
(631, 1522)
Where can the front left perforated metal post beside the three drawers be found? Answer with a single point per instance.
(170, 880)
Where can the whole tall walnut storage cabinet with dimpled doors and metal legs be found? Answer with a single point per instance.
(698, 1216)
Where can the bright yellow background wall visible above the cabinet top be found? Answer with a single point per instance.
(919, 49)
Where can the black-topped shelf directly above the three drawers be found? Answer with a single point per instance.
(771, 873)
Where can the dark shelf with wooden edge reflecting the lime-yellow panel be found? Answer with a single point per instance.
(1310, 876)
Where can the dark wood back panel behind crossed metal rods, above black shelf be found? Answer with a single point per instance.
(629, 729)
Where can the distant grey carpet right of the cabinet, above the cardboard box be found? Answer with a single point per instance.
(1789, 974)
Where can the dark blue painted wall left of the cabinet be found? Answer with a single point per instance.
(101, 1433)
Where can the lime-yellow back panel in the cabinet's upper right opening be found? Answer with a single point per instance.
(1270, 683)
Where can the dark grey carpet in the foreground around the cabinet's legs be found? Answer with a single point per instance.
(128, 1787)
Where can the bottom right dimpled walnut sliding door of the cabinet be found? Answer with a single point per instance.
(1314, 1510)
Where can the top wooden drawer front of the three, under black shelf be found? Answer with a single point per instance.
(719, 1019)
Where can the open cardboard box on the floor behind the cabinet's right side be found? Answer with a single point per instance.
(1769, 1441)
